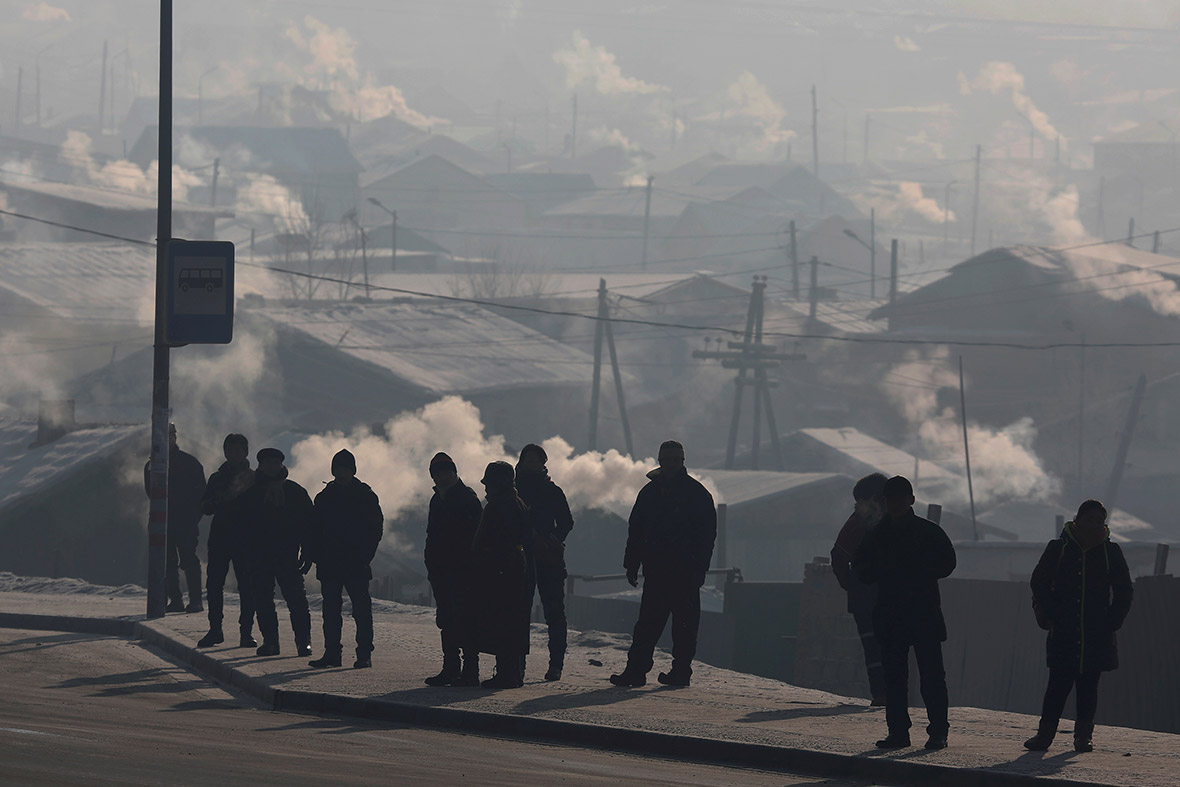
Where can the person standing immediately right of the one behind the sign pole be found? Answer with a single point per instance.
(227, 542)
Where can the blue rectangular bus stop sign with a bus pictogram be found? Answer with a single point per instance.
(200, 292)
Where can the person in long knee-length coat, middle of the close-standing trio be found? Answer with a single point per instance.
(501, 568)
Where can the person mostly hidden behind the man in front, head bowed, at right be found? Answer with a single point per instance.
(870, 508)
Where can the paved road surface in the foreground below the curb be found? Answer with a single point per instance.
(87, 711)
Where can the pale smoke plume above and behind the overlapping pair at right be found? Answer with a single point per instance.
(1004, 464)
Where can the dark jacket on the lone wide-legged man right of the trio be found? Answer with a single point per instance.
(672, 530)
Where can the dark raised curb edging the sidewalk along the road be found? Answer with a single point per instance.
(582, 734)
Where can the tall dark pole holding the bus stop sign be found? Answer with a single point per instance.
(158, 517)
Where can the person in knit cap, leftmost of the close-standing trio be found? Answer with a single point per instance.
(451, 528)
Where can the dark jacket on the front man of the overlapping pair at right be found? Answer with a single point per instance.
(906, 558)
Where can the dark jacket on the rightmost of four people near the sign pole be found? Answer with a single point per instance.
(346, 530)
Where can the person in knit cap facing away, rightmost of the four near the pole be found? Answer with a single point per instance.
(346, 532)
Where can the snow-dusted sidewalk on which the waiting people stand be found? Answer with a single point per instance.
(724, 717)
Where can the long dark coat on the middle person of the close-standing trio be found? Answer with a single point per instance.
(501, 576)
